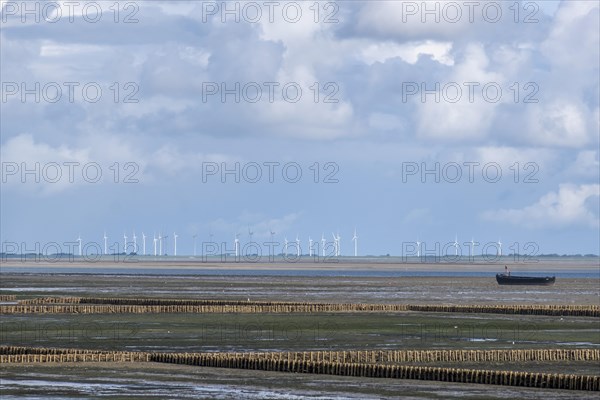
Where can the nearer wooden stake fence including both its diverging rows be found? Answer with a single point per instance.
(342, 363)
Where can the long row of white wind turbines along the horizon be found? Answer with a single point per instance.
(158, 245)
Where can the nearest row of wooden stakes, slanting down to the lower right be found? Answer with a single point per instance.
(355, 369)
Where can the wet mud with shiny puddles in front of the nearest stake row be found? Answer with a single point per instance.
(142, 381)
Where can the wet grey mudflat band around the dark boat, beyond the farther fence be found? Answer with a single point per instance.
(340, 289)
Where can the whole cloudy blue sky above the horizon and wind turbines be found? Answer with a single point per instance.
(407, 121)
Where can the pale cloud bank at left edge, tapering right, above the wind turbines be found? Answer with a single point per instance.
(109, 153)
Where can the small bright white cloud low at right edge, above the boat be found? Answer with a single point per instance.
(570, 206)
